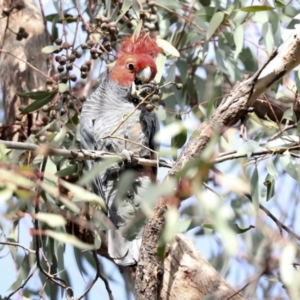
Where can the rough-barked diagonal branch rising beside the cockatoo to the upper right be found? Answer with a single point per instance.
(232, 108)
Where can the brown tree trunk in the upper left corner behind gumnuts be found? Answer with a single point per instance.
(16, 75)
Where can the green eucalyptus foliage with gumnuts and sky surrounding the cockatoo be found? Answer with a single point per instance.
(219, 42)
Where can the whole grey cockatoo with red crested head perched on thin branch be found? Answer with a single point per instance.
(101, 115)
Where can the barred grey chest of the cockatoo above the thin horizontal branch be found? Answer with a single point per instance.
(116, 123)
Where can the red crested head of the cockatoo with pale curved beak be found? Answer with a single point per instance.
(135, 62)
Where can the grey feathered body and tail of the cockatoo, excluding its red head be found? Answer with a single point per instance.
(100, 116)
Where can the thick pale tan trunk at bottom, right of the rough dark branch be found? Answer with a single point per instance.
(188, 275)
